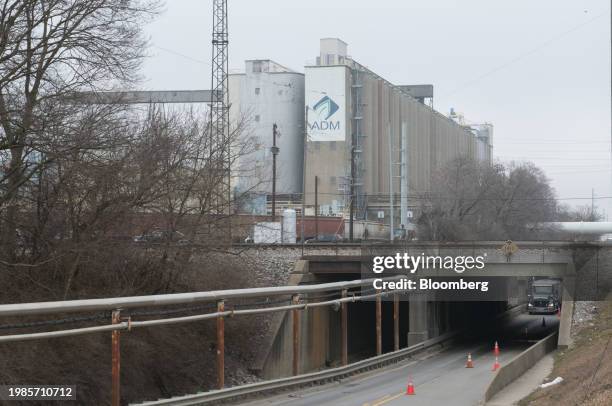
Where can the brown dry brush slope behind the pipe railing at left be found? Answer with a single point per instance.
(156, 362)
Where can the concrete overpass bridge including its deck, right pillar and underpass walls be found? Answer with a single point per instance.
(423, 316)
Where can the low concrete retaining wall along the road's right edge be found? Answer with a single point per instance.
(520, 364)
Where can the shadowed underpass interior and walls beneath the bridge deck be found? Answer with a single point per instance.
(419, 320)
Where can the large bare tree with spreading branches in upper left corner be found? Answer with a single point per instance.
(48, 50)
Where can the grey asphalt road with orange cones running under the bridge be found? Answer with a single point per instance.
(439, 379)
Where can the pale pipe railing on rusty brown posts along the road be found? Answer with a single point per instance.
(220, 304)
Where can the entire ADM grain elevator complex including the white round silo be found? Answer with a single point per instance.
(365, 137)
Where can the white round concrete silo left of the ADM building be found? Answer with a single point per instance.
(268, 93)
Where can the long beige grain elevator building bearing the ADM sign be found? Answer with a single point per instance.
(397, 140)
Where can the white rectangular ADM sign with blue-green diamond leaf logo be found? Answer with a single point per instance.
(326, 102)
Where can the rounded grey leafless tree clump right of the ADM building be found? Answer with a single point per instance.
(475, 200)
